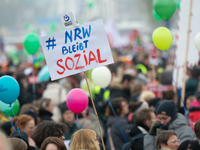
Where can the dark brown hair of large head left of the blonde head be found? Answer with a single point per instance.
(46, 129)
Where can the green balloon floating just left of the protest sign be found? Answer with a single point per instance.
(31, 43)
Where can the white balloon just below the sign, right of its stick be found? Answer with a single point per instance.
(101, 76)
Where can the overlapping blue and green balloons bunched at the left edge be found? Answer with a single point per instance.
(9, 92)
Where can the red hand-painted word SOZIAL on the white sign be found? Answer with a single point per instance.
(92, 57)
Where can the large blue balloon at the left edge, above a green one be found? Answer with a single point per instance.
(9, 89)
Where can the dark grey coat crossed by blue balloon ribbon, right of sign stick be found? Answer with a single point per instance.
(117, 137)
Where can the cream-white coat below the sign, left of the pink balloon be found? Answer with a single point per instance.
(57, 94)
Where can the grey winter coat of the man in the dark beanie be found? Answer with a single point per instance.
(179, 126)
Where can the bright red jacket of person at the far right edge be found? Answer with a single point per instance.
(194, 113)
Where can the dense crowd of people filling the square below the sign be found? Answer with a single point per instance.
(131, 116)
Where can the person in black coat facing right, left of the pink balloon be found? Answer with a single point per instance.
(45, 109)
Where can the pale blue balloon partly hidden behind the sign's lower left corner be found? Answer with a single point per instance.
(43, 75)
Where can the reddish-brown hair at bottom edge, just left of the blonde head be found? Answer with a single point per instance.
(54, 140)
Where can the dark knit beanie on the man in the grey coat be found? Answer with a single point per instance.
(166, 107)
